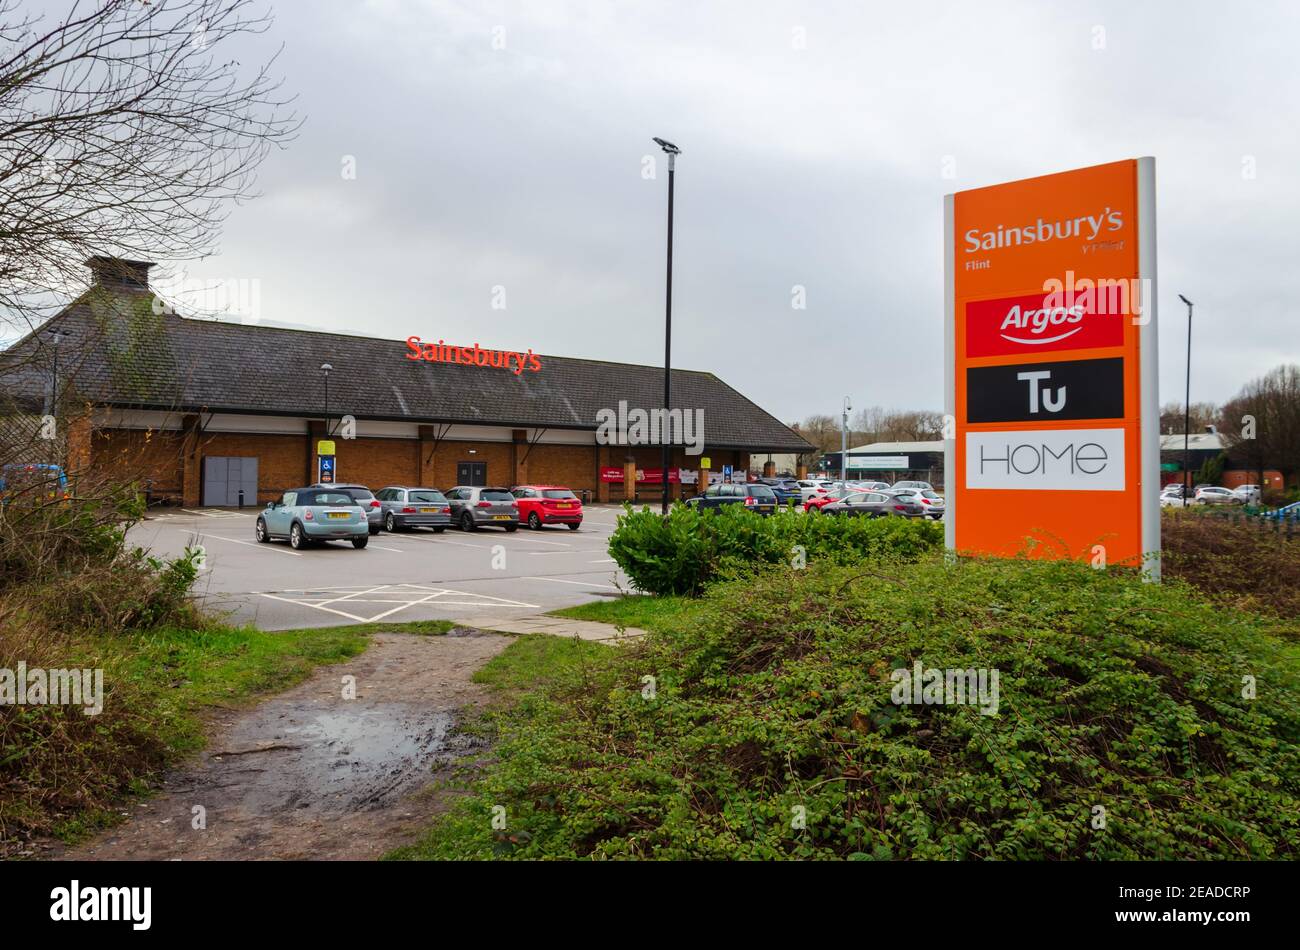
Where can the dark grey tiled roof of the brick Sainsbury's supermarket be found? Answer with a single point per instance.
(145, 361)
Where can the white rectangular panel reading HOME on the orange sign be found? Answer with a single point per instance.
(1047, 461)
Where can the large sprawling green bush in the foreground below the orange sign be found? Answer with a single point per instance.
(1121, 730)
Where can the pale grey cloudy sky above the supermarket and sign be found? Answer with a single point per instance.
(504, 146)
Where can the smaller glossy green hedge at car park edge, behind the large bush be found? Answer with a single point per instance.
(687, 550)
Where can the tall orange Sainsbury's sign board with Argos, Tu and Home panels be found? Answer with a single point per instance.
(1051, 367)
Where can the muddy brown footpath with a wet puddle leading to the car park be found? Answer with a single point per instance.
(310, 775)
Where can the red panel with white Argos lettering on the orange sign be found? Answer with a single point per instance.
(1030, 324)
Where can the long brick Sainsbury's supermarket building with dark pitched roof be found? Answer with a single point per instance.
(207, 413)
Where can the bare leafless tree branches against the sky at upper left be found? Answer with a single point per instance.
(128, 129)
